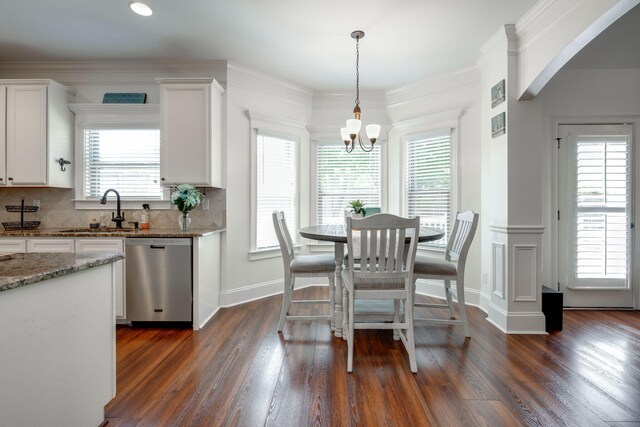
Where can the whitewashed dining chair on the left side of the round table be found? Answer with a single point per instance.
(302, 266)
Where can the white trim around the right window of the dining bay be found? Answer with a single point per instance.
(426, 126)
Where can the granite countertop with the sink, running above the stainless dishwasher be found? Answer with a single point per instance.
(110, 232)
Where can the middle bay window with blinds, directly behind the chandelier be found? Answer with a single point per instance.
(343, 177)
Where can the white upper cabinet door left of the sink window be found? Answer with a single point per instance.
(26, 134)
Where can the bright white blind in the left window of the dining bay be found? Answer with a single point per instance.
(276, 187)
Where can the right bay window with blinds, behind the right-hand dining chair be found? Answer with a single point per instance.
(428, 182)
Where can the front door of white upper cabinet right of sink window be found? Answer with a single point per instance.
(185, 133)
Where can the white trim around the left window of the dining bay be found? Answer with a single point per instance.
(278, 127)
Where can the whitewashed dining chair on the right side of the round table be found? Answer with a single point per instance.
(448, 268)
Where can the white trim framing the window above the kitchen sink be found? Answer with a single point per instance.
(111, 116)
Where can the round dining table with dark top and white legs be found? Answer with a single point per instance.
(337, 233)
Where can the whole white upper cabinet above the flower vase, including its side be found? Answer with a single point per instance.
(190, 132)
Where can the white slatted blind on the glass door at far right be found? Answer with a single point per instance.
(602, 201)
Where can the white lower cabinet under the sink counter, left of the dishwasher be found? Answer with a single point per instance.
(79, 245)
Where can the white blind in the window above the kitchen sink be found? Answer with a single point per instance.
(125, 159)
